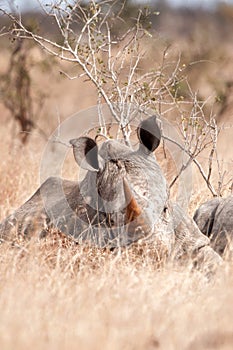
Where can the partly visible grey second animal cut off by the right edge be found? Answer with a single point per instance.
(215, 219)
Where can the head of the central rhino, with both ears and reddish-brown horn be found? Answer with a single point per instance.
(126, 186)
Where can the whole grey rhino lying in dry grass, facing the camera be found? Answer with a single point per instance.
(122, 199)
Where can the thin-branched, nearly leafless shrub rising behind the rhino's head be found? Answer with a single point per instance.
(95, 38)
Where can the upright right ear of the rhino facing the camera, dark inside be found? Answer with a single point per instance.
(149, 133)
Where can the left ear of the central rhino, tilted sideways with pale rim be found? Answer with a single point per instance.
(86, 153)
